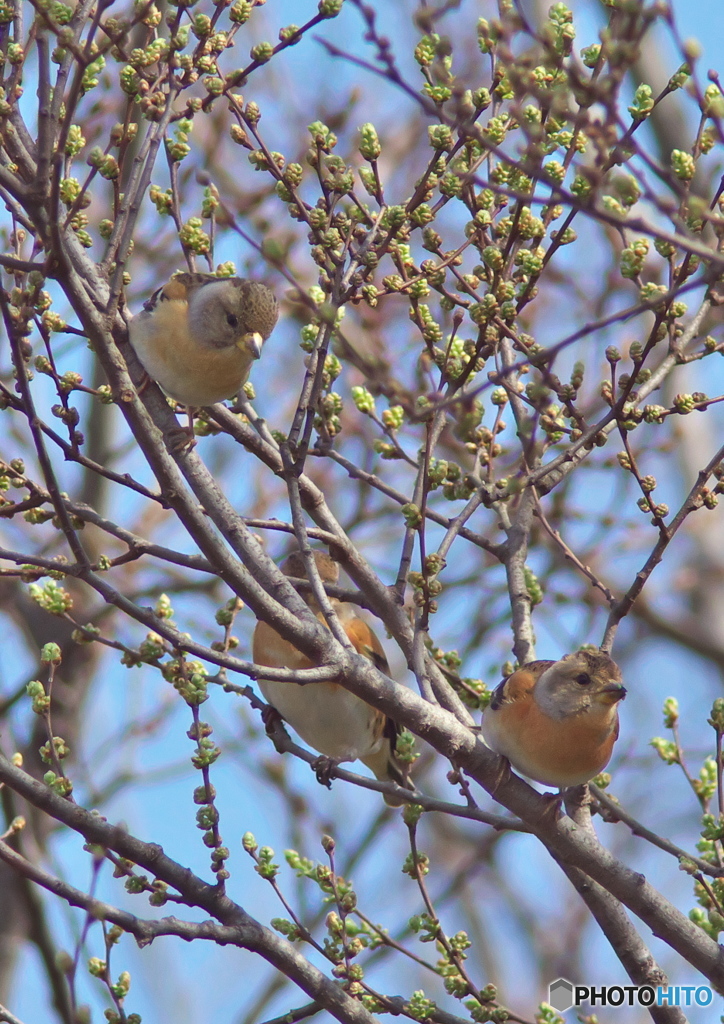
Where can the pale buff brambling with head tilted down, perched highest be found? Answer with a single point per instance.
(199, 335)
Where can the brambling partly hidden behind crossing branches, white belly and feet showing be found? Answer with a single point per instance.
(335, 722)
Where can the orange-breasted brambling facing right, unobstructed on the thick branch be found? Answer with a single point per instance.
(557, 722)
